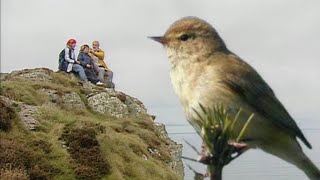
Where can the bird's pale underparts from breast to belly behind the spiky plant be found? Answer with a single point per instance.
(193, 90)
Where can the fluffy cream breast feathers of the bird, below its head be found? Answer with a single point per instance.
(197, 83)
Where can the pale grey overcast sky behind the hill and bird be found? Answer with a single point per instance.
(278, 38)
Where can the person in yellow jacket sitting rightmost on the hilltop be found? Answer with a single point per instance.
(97, 55)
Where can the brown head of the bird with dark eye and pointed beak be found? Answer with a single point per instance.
(190, 37)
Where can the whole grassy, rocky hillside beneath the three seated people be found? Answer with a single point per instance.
(54, 127)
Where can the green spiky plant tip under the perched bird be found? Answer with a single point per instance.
(215, 127)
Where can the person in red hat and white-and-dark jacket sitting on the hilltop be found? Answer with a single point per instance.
(68, 62)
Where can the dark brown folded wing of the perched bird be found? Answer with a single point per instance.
(246, 82)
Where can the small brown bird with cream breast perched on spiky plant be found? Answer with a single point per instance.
(203, 71)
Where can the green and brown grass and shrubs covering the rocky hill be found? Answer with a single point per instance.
(78, 143)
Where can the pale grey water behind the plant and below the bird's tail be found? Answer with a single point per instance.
(254, 164)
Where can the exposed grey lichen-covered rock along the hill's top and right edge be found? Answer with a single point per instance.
(109, 102)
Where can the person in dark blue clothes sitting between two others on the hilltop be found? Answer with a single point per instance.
(87, 64)
